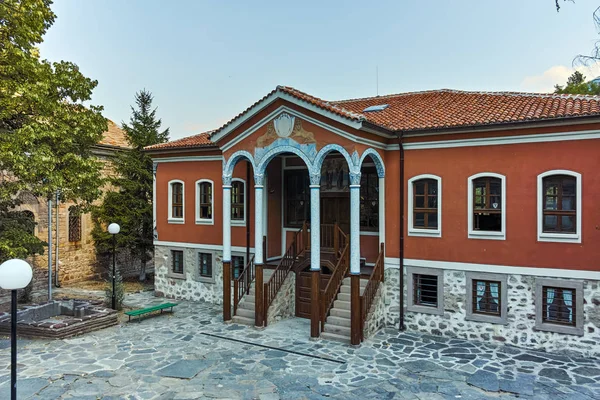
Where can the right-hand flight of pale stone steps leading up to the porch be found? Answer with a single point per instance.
(337, 324)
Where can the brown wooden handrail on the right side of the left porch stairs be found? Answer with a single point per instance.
(272, 286)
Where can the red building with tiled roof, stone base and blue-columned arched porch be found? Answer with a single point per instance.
(294, 208)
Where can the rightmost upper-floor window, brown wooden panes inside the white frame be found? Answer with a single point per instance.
(560, 199)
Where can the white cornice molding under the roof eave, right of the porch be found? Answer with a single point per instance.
(504, 140)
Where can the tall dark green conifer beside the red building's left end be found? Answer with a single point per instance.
(131, 206)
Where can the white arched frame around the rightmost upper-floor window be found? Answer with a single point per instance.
(559, 237)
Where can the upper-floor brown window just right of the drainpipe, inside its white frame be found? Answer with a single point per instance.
(425, 204)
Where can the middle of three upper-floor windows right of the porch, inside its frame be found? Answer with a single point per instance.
(487, 204)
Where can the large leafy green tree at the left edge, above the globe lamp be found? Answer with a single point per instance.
(46, 132)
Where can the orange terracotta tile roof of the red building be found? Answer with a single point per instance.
(435, 109)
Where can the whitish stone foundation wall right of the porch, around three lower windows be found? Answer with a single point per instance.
(520, 327)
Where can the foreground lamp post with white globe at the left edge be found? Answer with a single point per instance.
(14, 274)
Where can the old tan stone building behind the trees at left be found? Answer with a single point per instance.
(76, 250)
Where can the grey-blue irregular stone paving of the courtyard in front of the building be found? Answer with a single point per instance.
(192, 354)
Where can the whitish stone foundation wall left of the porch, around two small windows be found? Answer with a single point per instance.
(190, 286)
